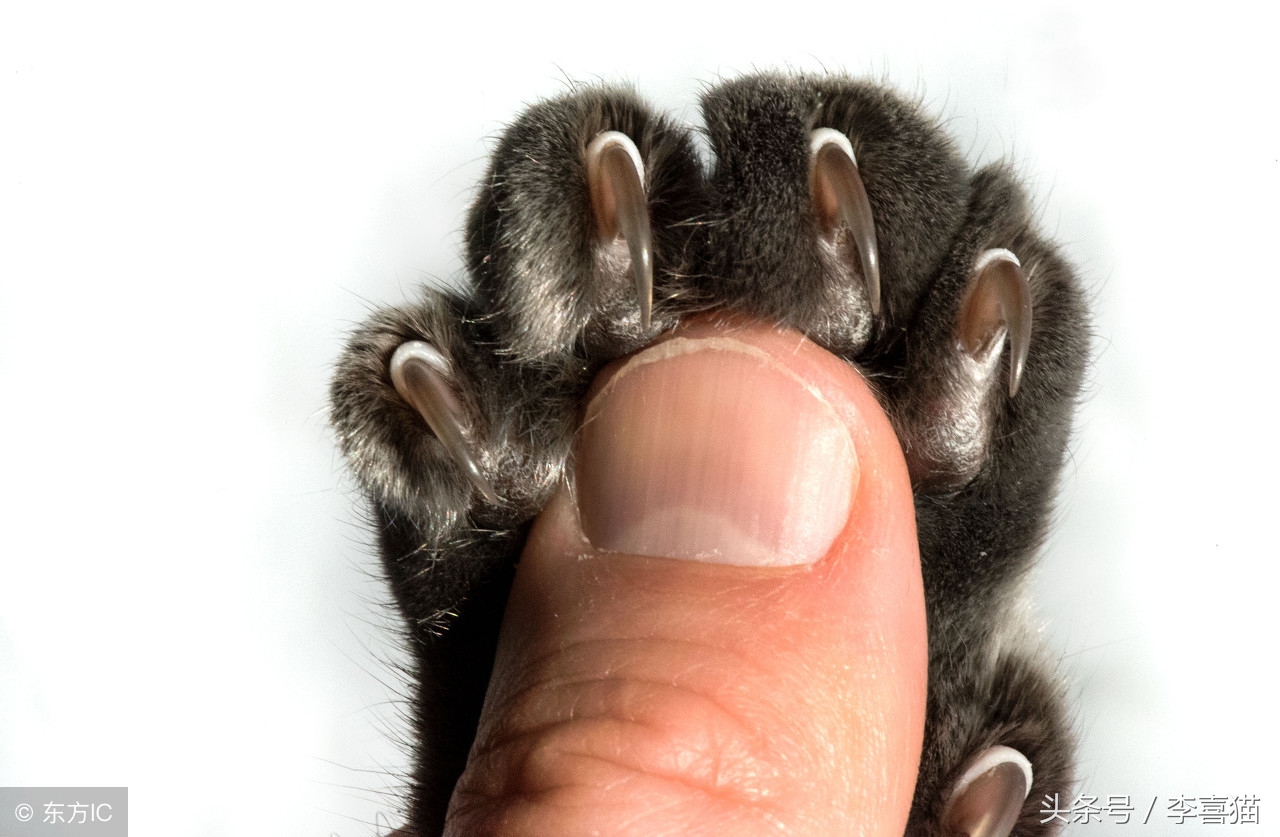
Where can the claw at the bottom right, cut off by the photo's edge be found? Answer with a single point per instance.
(989, 797)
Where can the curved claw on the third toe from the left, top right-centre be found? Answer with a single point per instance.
(839, 191)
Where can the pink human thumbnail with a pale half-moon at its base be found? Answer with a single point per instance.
(712, 450)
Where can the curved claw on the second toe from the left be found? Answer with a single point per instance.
(616, 177)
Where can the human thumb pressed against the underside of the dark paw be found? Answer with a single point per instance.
(717, 626)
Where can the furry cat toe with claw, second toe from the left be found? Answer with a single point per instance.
(579, 241)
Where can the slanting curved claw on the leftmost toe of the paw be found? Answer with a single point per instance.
(422, 377)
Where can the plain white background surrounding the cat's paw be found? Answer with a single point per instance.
(198, 202)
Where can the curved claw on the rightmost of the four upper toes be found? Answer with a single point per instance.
(999, 304)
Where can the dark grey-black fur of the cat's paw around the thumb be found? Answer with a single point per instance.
(551, 308)
